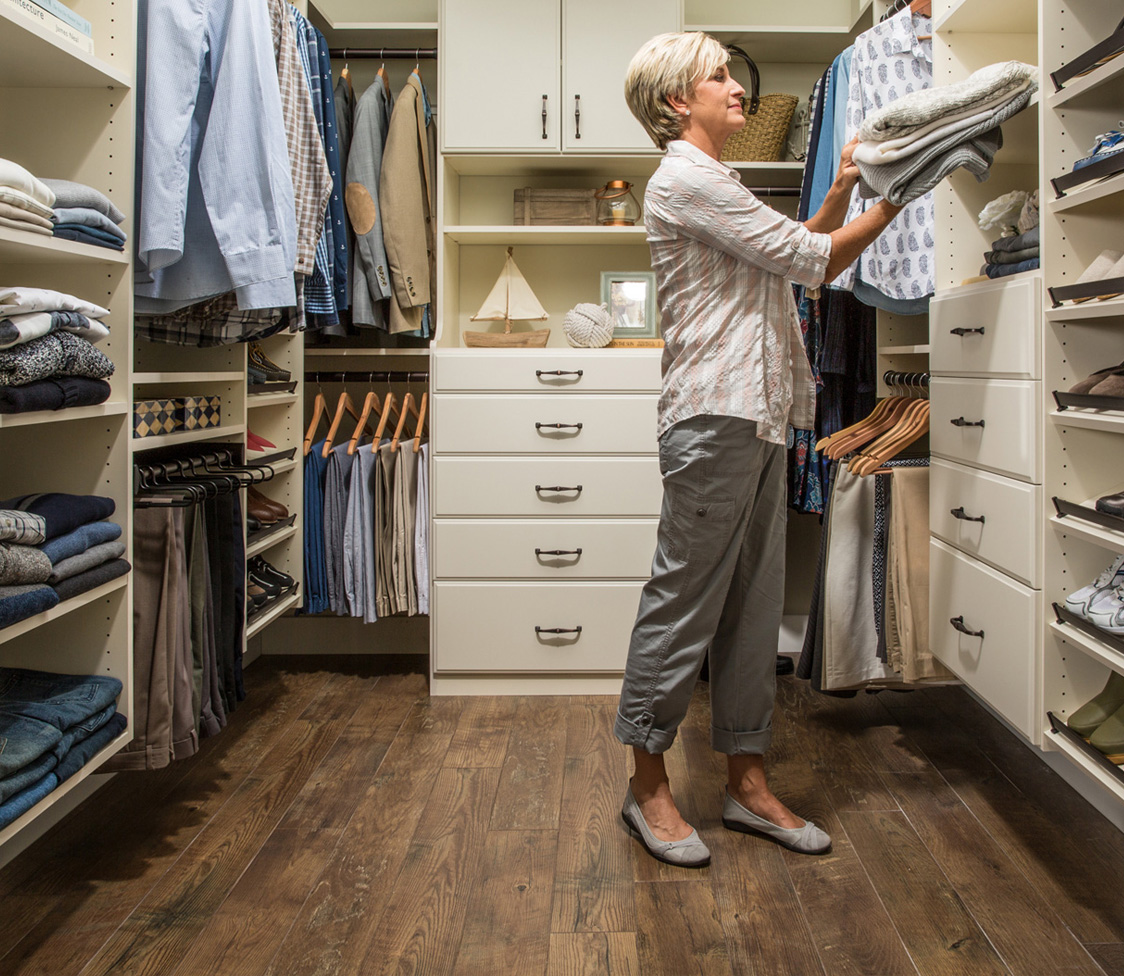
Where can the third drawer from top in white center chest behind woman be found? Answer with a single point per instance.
(525, 486)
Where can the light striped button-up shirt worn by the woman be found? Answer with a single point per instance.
(724, 263)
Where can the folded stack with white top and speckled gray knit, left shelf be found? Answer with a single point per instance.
(48, 359)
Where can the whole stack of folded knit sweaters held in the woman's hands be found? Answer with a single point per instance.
(913, 143)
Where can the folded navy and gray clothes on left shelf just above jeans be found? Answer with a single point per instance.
(55, 547)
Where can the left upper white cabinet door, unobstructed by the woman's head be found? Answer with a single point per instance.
(500, 62)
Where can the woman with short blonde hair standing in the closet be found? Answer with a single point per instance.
(735, 377)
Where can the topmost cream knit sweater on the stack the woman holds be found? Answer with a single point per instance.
(918, 110)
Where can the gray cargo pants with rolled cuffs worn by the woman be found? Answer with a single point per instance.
(719, 583)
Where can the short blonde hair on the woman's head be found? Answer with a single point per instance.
(669, 66)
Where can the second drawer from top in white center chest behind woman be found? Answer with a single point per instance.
(521, 426)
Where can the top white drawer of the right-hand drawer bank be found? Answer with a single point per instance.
(1010, 344)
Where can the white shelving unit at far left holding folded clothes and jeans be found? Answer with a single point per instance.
(85, 450)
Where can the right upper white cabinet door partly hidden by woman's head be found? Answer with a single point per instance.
(600, 40)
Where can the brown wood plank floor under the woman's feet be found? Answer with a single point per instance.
(347, 824)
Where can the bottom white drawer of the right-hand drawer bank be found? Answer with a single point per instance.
(1000, 666)
